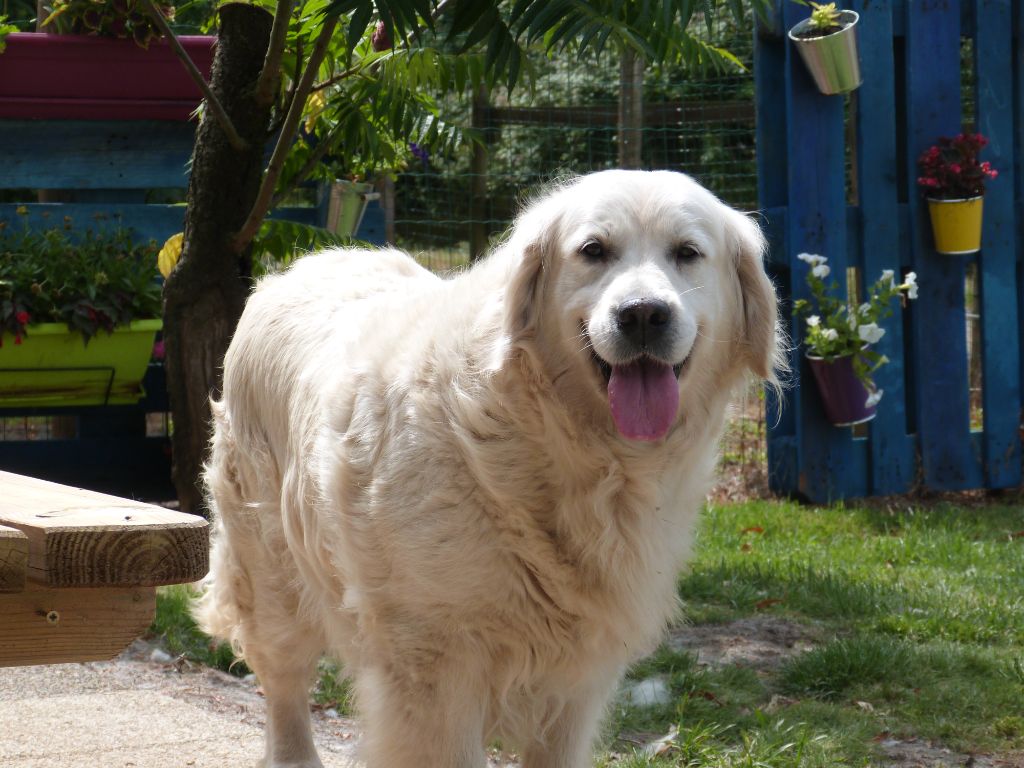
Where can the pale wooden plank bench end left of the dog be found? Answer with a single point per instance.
(79, 570)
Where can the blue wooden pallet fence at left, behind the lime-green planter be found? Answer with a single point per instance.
(111, 167)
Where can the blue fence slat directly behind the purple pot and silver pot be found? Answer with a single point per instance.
(832, 464)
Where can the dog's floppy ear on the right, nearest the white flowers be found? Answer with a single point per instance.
(760, 335)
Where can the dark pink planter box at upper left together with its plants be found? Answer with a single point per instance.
(107, 63)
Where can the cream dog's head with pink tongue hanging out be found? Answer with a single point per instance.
(636, 287)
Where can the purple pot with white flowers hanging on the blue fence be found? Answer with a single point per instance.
(839, 337)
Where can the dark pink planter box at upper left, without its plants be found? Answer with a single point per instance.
(71, 77)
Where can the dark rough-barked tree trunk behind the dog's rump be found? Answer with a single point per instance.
(205, 294)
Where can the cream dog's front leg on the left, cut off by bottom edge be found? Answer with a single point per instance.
(432, 716)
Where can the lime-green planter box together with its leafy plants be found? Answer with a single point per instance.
(79, 314)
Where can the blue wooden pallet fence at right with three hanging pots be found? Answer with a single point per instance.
(860, 206)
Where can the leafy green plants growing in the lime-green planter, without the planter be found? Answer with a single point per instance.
(90, 281)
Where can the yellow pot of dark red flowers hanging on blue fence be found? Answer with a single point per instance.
(954, 181)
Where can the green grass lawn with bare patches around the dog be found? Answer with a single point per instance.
(907, 625)
